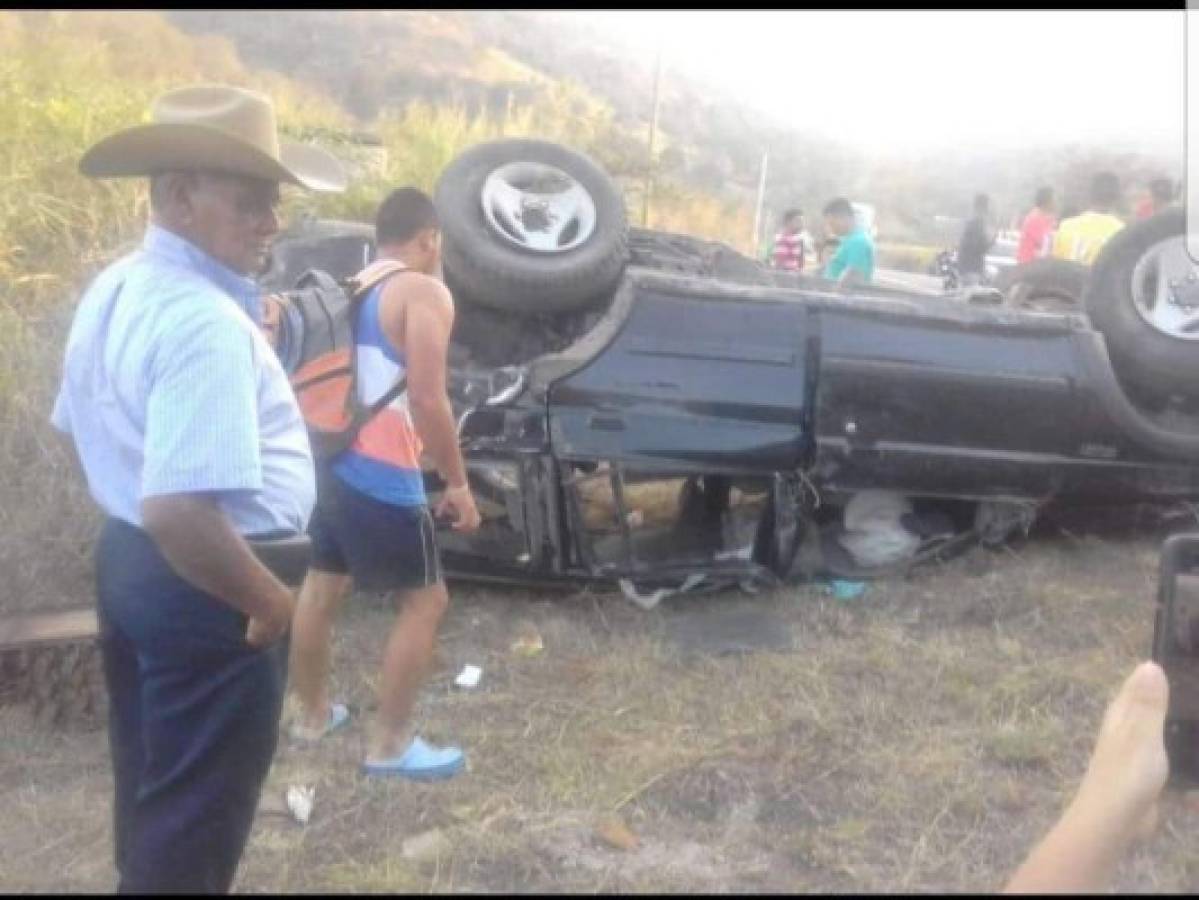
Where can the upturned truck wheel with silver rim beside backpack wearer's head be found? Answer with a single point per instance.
(514, 245)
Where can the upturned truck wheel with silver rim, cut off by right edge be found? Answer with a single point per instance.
(1126, 275)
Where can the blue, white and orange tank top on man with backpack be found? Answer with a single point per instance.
(384, 462)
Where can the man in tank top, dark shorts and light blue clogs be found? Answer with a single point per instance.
(372, 522)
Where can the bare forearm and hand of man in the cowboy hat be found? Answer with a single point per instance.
(203, 548)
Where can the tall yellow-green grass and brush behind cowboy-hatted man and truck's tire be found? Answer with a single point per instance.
(69, 78)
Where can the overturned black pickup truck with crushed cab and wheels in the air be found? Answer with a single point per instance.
(662, 413)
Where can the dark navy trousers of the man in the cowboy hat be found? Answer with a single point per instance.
(194, 720)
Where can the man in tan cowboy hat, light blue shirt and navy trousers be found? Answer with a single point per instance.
(194, 446)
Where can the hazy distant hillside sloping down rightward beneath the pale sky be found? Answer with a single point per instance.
(710, 144)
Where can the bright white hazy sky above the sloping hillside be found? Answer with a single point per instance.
(908, 81)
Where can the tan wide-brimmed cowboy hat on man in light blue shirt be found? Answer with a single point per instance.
(213, 129)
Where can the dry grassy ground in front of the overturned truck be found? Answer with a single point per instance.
(918, 739)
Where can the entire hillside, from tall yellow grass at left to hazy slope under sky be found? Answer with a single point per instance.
(426, 86)
